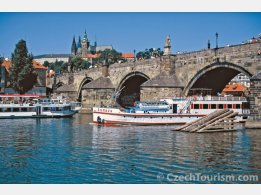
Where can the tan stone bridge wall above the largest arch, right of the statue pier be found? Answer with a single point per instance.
(187, 65)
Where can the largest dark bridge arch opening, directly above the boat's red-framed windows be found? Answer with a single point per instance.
(215, 76)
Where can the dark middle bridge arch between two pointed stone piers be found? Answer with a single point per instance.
(128, 89)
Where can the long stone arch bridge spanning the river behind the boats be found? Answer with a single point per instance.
(166, 76)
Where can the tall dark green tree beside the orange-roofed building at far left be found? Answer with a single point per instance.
(22, 76)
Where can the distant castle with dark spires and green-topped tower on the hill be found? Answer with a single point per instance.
(83, 47)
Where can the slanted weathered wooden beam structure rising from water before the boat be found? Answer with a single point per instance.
(220, 120)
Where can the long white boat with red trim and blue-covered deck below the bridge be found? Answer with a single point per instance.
(170, 111)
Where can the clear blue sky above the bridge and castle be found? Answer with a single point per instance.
(53, 32)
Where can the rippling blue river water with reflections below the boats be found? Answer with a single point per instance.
(73, 151)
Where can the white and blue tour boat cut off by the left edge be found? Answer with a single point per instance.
(32, 106)
